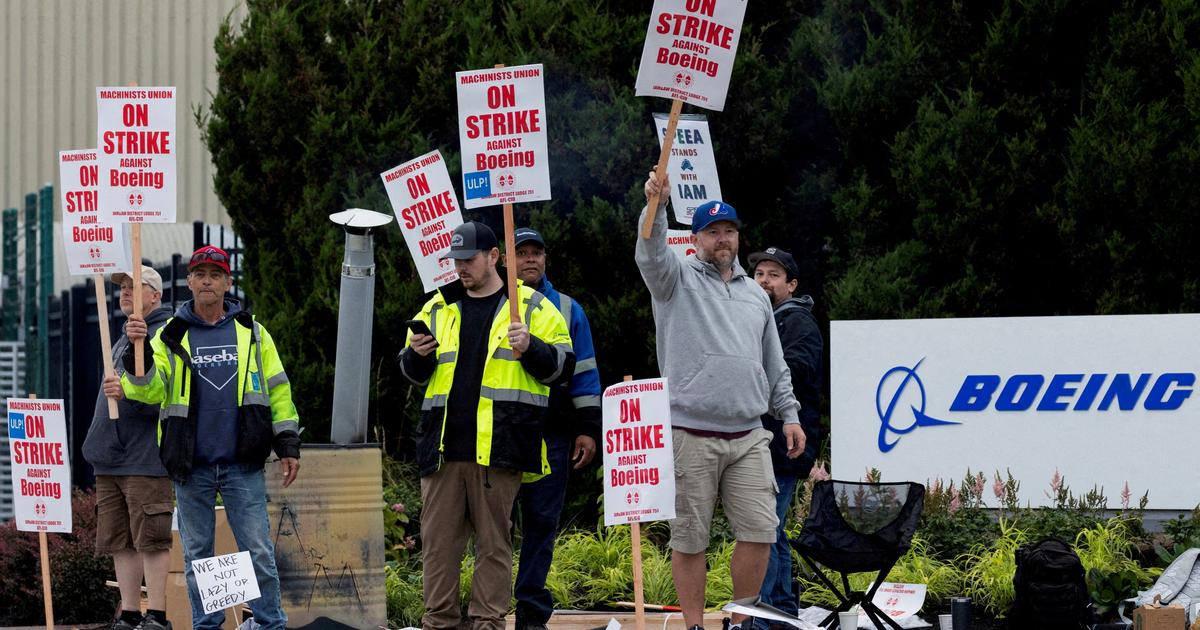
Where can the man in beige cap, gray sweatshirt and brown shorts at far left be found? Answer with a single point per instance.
(134, 495)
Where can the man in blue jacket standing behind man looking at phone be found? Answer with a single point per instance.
(573, 431)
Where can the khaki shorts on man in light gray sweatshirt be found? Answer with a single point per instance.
(740, 470)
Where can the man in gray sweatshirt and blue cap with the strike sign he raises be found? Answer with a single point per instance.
(716, 335)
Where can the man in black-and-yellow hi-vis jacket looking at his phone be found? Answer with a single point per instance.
(488, 385)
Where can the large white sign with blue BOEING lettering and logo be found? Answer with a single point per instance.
(1102, 400)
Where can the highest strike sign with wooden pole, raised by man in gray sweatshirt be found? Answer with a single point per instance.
(689, 52)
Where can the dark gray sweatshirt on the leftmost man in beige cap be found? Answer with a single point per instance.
(130, 445)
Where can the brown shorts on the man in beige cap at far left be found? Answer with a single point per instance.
(134, 513)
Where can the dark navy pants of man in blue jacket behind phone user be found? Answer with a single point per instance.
(541, 505)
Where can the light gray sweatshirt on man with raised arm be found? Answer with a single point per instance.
(717, 341)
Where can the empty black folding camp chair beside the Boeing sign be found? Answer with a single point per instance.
(856, 527)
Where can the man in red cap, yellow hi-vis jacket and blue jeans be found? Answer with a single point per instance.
(227, 404)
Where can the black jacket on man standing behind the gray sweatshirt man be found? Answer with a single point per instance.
(803, 344)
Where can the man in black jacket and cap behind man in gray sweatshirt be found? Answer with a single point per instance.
(777, 273)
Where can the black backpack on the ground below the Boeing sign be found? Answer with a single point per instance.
(1051, 592)
